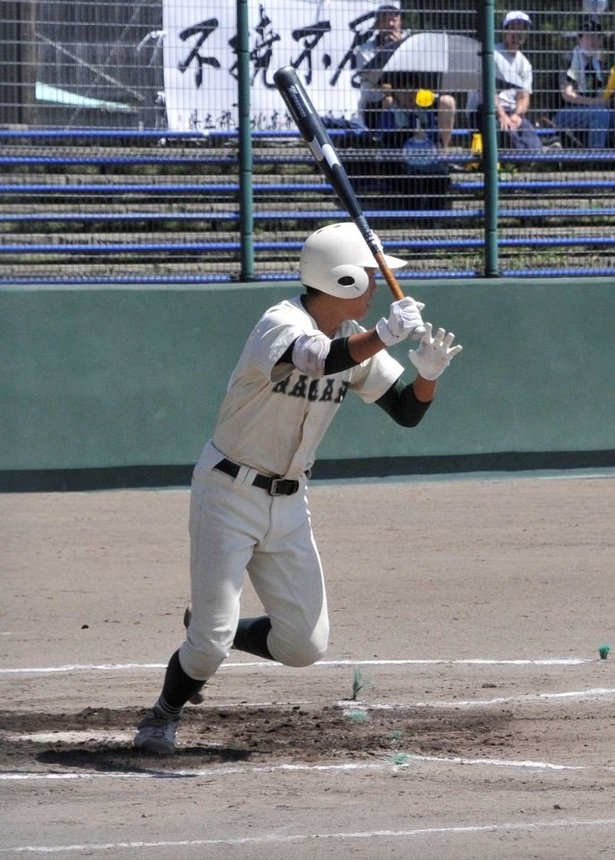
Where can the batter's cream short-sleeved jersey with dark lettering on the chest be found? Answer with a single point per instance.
(273, 418)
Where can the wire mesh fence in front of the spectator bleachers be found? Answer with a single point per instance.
(120, 136)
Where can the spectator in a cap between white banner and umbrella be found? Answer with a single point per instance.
(372, 56)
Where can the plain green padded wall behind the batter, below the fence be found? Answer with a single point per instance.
(120, 386)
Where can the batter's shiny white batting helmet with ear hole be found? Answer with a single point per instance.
(334, 258)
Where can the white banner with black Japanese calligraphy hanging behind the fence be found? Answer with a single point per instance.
(317, 37)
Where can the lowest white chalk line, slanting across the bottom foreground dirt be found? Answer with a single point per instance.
(290, 838)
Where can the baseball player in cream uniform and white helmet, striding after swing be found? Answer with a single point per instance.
(248, 508)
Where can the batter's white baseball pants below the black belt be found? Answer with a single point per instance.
(236, 527)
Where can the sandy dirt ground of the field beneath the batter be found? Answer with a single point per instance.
(463, 710)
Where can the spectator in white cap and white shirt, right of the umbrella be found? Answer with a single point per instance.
(514, 78)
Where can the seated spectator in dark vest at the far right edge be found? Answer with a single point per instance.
(582, 87)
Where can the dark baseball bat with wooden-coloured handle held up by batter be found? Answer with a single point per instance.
(319, 143)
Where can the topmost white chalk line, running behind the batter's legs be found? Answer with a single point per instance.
(123, 667)
